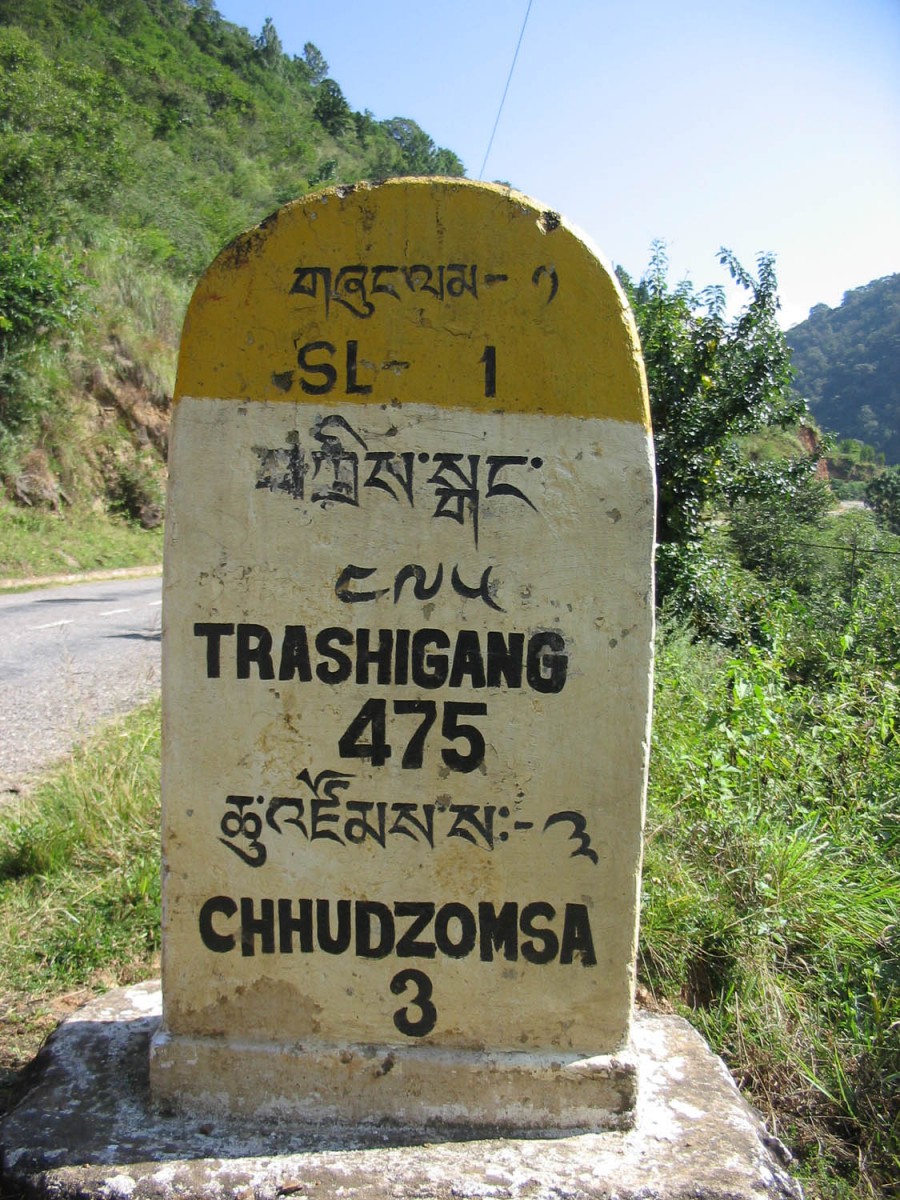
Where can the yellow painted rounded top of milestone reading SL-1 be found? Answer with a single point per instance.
(417, 291)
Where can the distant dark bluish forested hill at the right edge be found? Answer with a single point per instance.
(848, 365)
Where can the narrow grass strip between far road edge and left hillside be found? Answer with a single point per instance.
(38, 543)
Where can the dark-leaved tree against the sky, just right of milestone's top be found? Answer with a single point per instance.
(712, 381)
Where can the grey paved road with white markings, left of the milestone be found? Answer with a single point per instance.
(69, 658)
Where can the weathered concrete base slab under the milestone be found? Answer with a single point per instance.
(87, 1127)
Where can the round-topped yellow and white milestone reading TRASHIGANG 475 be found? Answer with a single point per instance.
(407, 670)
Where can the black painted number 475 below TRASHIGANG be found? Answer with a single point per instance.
(367, 736)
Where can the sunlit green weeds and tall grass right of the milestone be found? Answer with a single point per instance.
(772, 880)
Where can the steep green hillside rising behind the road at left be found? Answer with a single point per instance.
(137, 137)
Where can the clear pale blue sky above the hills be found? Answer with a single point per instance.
(759, 125)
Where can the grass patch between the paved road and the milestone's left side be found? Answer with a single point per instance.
(80, 885)
